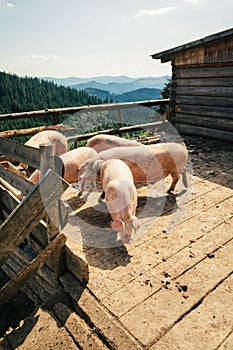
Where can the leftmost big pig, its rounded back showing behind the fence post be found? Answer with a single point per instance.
(53, 137)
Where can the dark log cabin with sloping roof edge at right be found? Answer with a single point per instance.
(201, 101)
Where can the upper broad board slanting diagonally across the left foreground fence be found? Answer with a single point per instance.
(29, 213)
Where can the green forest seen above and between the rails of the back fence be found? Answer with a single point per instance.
(22, 94)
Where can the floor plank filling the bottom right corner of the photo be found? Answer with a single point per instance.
(207, 326)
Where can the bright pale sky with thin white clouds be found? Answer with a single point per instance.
(88, 38)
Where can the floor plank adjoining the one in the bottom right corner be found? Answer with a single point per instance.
(201, 280)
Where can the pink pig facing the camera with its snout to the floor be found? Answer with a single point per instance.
(120, 197)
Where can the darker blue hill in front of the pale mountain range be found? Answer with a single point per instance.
(130, 96)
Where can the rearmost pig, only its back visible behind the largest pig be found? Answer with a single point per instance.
(103, 142)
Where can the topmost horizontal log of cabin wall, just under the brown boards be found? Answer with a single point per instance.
(206, 72)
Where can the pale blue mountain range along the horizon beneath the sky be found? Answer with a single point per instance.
(115, 85)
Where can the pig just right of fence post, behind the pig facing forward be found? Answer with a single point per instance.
(72, 161)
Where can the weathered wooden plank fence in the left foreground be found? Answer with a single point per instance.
(35, 222)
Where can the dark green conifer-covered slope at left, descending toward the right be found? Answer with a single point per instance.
(26, 94)
